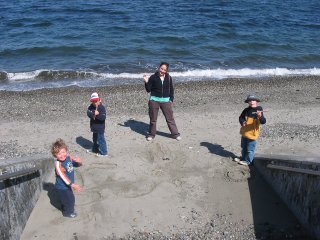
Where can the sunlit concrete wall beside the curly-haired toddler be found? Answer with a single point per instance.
(19, 195)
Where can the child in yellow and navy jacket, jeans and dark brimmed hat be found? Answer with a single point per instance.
(250, 120)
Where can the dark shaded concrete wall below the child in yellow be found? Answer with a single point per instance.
(297, 181)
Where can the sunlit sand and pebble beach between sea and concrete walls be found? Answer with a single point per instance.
(165, 188)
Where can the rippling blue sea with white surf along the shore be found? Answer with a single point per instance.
(52, 44)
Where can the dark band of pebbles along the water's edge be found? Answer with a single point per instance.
(120, 98)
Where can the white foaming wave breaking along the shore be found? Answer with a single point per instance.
(61, 78)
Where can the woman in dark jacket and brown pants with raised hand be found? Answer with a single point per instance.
(161, 90)
